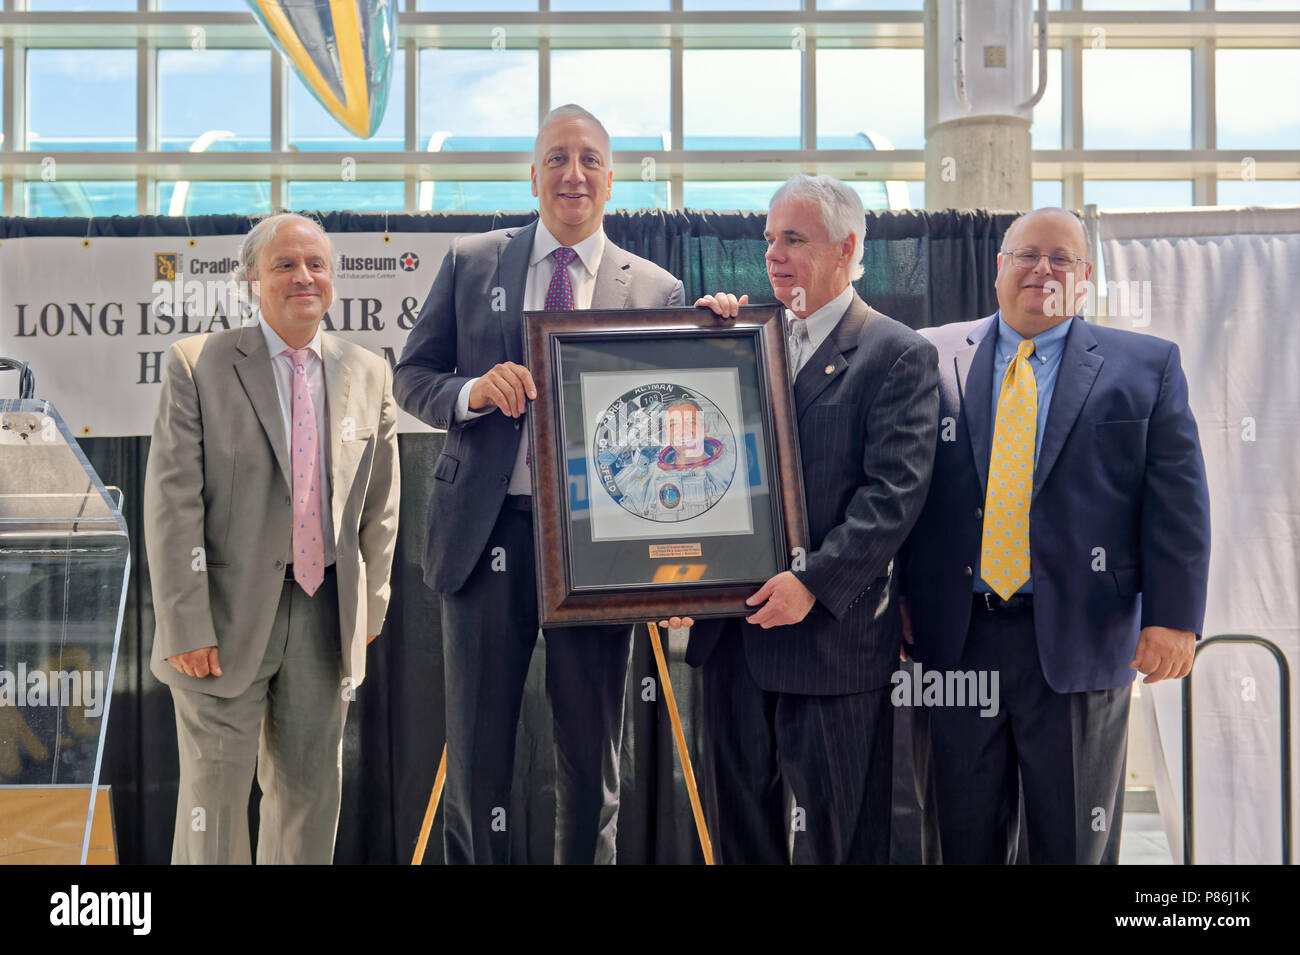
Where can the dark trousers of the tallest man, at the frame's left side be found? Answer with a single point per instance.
(489, 633)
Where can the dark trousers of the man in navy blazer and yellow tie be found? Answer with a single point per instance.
(1064, 750)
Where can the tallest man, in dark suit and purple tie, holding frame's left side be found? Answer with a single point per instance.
(461, 371)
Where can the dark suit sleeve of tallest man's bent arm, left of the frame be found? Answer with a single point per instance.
(426, 383)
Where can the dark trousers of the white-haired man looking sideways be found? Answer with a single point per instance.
(833, 753)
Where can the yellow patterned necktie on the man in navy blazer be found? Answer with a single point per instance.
(1006, 548)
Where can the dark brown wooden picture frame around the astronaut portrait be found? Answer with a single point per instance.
(677, 329)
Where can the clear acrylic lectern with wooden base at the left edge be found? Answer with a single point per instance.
(64, 565)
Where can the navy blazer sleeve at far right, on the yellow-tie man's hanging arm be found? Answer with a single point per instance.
(1176, 511)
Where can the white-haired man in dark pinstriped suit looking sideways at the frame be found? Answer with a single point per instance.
(799, 692)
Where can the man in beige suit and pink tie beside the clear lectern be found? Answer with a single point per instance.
(271, 513)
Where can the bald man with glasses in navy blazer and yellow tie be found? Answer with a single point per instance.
(1117, 553)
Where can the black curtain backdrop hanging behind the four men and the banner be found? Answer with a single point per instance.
(922, 268)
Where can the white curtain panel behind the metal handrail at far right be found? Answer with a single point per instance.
(1224, 286)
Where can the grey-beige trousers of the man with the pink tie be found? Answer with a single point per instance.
(288, 727)
